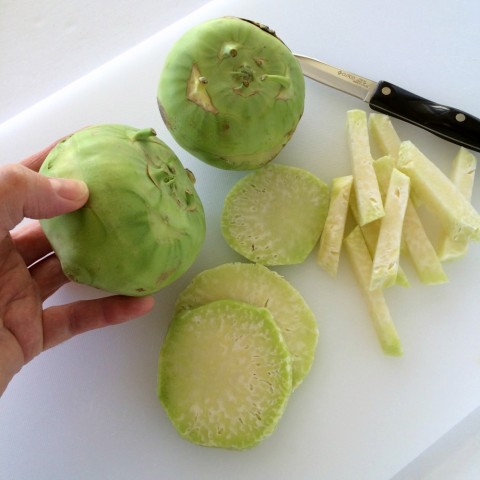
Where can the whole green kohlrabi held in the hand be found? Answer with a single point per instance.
(143, 224)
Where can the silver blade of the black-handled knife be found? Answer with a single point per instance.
(337, 78)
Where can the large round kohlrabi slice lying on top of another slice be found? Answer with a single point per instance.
(225, 374)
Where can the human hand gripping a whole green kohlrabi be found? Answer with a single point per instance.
(30, 272)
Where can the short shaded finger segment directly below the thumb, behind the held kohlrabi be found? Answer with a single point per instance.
(31, 242)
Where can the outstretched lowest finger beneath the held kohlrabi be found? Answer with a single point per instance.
(60, 323)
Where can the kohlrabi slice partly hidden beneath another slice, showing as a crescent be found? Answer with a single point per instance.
(262, 287)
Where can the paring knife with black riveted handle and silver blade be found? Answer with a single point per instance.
(446, 122)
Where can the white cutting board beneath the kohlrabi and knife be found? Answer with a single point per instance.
(88, 409)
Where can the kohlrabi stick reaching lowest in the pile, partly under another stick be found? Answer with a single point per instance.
(361, 263)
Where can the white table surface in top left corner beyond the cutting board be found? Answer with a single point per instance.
(46, 45)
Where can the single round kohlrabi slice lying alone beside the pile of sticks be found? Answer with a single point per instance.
(275, 215)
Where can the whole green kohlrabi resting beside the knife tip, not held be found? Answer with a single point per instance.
(231, 93)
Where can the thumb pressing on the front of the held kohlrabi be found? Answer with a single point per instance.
(24, 193)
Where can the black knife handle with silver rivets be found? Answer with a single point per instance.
(446, 122)
